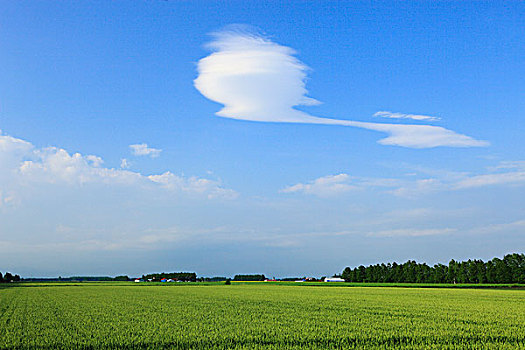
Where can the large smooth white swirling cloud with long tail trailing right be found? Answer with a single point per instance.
(259, 80)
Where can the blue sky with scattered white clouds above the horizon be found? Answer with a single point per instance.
(155, 136)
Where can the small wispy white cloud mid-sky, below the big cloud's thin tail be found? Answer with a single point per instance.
(325, 186)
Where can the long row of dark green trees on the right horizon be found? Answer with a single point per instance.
(510, 269)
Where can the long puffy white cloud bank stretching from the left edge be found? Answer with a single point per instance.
(22, 163)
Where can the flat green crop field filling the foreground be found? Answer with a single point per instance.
(257, 315)
